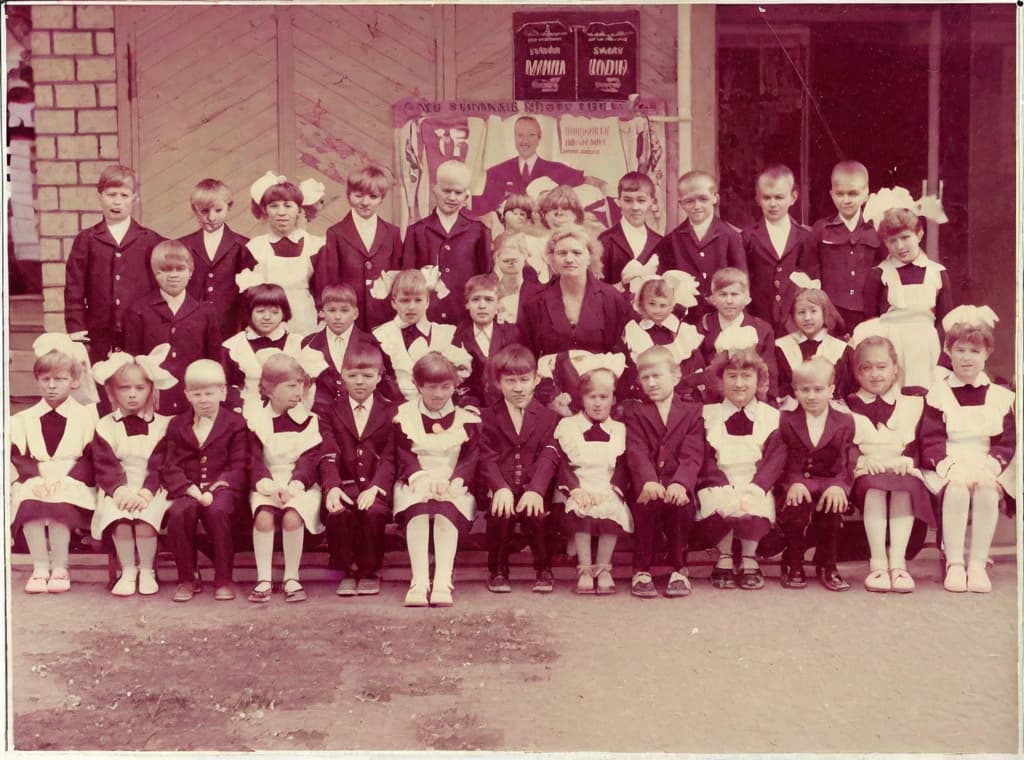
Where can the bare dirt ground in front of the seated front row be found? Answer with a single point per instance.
(720, 672)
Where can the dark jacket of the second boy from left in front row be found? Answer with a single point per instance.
(353, 462)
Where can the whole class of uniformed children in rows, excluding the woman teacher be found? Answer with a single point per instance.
(338, 384)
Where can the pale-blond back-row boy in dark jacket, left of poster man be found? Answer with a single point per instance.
(458, 246)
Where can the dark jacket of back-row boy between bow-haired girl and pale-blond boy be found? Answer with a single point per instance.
(345, 260)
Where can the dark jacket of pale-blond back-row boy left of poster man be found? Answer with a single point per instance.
(459, 256)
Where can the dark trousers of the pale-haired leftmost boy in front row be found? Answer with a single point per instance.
(183, 519)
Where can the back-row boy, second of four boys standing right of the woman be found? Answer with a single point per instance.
(703, 244)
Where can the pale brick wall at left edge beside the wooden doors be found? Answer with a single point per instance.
(76, 131)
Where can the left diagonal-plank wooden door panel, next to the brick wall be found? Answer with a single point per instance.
(199, 88)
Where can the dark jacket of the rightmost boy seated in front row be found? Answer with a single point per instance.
(830, 463)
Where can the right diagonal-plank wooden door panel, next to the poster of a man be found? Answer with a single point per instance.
(352, 64)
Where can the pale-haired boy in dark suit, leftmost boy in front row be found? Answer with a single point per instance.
(206, 474)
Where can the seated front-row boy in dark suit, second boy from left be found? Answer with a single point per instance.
(358, 472)
